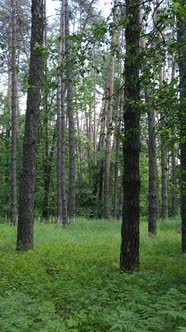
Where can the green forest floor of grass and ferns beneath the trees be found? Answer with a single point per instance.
(72, 282)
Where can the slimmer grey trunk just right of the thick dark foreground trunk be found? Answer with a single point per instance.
(153, 185)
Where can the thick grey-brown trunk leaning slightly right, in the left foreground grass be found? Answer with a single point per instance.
(27, 190)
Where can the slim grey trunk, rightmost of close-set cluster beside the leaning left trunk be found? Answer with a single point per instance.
(70, 111)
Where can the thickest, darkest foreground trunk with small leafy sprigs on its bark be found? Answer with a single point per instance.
(129, 257)
